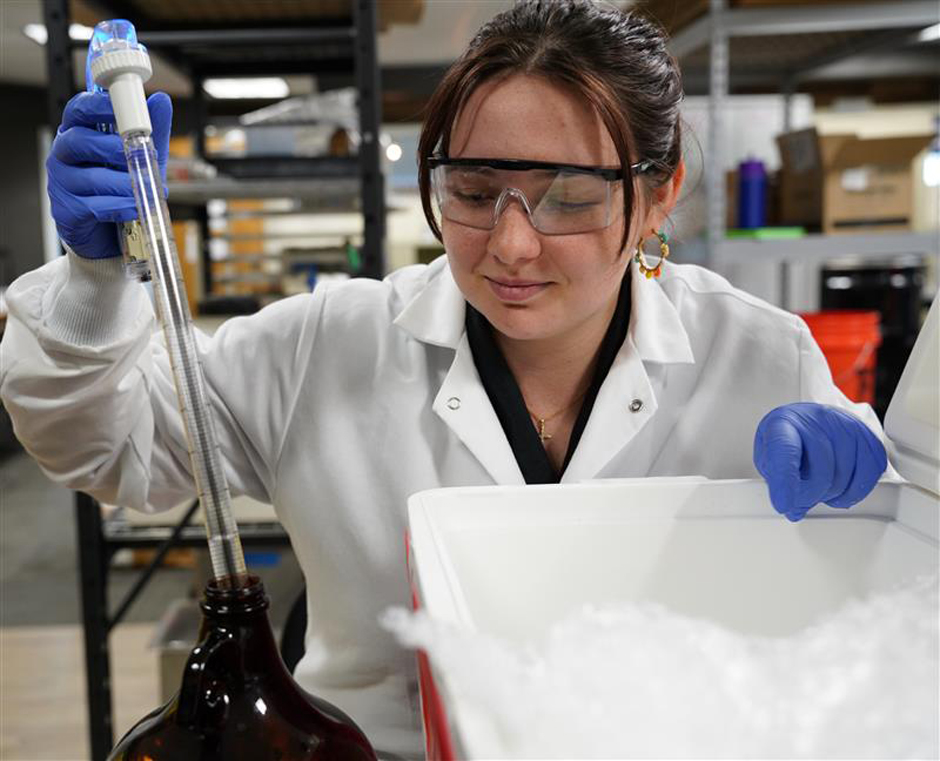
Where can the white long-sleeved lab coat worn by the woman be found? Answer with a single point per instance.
(336, 406)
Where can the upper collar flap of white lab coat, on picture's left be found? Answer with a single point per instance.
(436, 314)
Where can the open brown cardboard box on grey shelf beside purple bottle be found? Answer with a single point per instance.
(846, 184)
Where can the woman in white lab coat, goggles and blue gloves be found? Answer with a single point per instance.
(540, 349)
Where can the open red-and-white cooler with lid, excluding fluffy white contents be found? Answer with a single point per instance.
(511, 561)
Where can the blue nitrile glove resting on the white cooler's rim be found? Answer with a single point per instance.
(810, 453)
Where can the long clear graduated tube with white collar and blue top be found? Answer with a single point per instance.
(120, 65)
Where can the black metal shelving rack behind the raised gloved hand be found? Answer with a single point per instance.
(341, 49)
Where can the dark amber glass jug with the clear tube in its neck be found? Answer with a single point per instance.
(237, 700)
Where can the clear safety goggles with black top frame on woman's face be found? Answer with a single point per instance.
(560, 199)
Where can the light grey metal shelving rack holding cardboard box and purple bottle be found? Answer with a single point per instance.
(871, 28)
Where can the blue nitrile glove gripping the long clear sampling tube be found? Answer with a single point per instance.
(89, 187)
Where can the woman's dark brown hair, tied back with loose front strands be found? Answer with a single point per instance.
(617, 60)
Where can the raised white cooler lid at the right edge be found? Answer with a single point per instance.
(913, 418)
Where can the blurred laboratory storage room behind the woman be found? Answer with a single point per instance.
(813, 152)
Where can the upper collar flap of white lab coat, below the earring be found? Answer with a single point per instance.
(655, 327)
